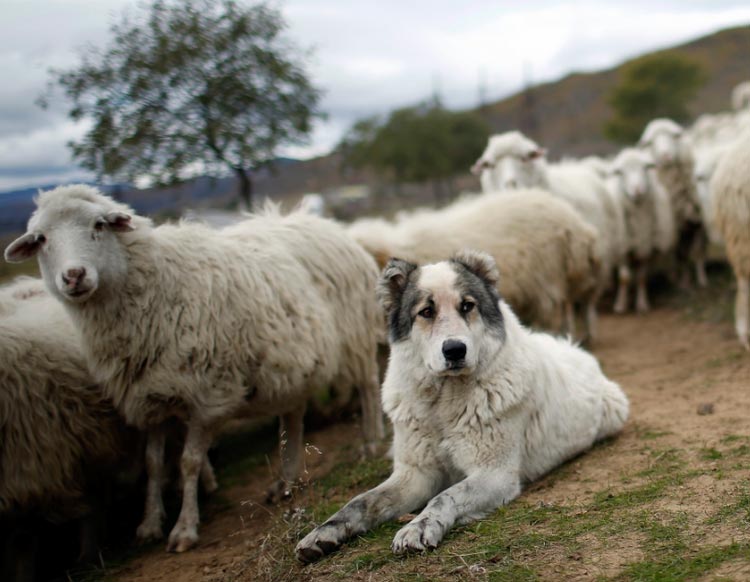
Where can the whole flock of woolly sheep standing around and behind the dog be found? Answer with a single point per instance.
(134, 325)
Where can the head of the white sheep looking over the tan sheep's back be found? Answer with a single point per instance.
(514, 160)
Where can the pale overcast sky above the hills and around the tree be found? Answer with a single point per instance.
(369, 57)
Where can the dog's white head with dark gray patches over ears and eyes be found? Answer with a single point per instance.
(447, 314)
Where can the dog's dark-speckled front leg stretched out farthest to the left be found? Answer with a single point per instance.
(405, 490)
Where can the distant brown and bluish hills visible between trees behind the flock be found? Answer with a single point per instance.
(566, 116)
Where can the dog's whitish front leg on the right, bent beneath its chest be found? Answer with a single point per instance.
(470, 499)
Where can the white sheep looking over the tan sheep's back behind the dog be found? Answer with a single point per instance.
(511, 160)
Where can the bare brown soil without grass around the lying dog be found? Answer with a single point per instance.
(687, 381)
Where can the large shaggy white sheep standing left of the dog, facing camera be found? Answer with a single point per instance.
(183, 321)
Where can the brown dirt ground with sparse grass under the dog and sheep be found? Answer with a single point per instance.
(687, 379)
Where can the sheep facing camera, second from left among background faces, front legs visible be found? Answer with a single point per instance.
(649, 220)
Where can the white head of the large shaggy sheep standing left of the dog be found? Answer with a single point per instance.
(74, 233)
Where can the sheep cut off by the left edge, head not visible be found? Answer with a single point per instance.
(57, 429)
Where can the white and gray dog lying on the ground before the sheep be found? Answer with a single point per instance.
(479, 405)
